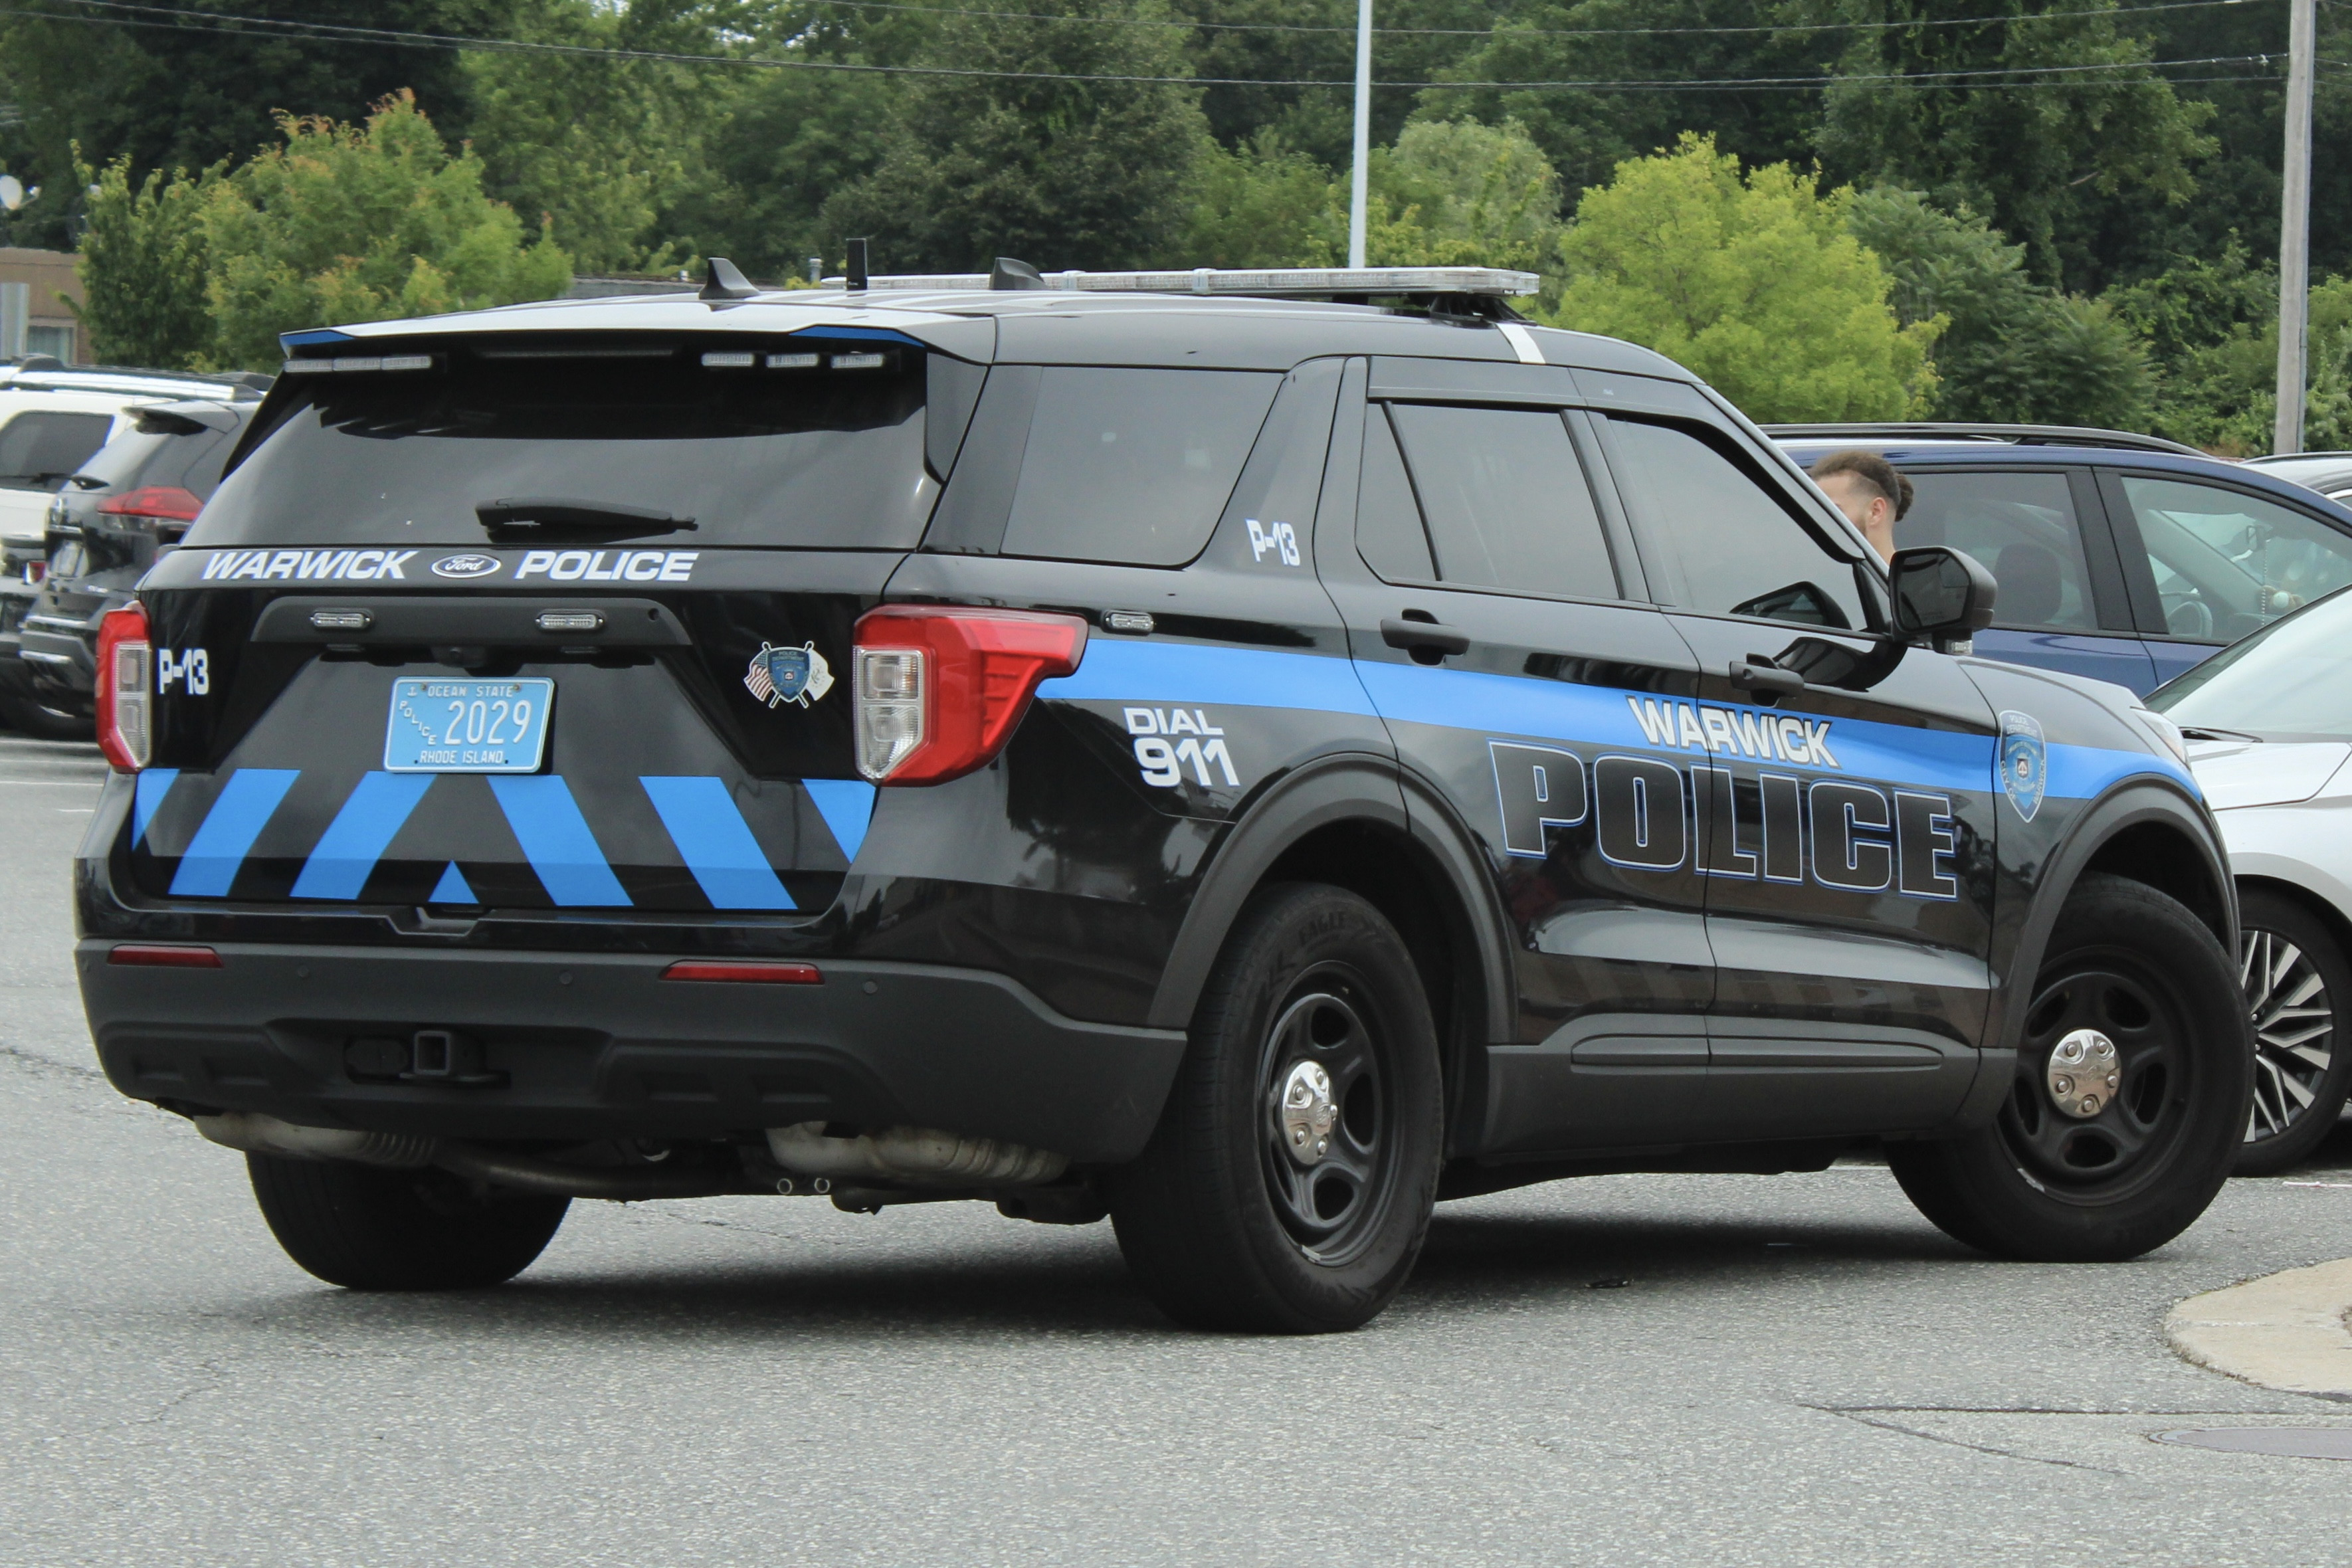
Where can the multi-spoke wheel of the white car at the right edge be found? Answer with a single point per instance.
(2297, 986)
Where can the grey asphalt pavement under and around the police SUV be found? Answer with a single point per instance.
(1633, 1369)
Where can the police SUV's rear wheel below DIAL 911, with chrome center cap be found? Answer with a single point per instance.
(1224, 1217)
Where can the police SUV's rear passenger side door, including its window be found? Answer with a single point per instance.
(1488, 612)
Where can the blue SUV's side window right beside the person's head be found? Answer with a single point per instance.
(2022, 528)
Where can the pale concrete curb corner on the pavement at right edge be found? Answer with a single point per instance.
(2285, 1332)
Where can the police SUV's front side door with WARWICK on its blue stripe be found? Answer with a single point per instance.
(1850, 857)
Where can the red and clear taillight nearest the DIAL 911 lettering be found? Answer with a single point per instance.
(940, 690)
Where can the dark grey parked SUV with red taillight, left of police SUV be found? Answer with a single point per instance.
(133, 500)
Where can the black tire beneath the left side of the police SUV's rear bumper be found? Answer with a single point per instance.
(366, 1228)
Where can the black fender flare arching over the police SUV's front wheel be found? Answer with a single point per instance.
(2130, 805)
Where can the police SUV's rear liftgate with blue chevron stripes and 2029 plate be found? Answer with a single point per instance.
(540, 624)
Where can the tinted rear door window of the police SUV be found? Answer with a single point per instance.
(1504, 500)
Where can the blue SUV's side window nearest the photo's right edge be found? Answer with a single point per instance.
(2229, 563)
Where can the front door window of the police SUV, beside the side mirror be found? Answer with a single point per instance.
(1735, 544)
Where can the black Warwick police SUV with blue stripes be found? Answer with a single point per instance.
(1114, 744)
